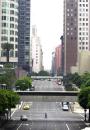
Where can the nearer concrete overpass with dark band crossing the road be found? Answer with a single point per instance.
(48, 96)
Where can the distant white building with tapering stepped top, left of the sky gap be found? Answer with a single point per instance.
(36, 51)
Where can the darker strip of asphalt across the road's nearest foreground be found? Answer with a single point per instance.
(44, 125)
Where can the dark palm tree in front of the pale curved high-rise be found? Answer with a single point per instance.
(7, 47)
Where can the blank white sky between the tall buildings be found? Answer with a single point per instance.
(47, 15)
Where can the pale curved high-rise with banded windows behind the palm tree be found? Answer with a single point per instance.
(9, 30)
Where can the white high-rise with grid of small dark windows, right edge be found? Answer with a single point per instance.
(83, 25)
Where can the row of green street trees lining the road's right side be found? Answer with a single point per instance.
(83, 83)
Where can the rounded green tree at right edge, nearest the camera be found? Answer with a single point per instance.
(84, 99)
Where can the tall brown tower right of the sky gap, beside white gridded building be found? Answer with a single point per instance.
(70, 34)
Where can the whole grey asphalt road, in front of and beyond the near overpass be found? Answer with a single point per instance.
(57, 119)
